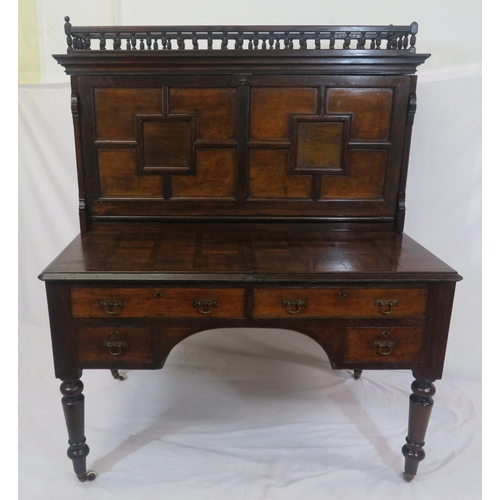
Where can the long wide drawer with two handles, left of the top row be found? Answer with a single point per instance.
(157, 302)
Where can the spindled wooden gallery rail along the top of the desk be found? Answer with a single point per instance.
(401, 39)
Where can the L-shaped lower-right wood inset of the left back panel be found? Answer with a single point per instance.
(214, 177)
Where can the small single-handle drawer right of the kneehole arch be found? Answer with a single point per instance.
(383, 344)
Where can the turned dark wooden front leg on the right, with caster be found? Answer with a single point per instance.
(420, 411)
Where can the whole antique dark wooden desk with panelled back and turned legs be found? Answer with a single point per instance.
(245, 177)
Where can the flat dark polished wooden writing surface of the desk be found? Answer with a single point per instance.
(232, 253)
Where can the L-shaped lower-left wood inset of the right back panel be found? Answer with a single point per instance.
(269, 177)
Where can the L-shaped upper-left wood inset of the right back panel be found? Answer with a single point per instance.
(271, 108)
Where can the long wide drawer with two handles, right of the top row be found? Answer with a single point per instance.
(339, 302)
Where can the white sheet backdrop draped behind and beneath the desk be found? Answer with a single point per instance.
(259, 417)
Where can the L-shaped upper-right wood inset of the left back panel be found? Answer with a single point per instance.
(215, 110)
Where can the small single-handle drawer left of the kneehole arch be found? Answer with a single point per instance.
(114, 344)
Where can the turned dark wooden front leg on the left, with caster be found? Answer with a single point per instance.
(73, 407)
